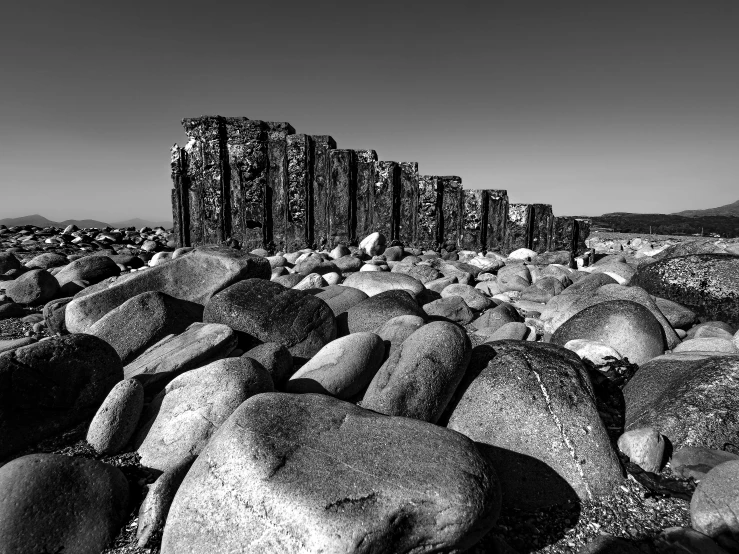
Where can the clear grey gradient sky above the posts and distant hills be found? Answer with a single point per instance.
(592, 107)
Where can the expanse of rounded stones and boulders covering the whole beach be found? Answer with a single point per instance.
(369, 398)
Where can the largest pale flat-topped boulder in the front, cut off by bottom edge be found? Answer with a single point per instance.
(337, 480)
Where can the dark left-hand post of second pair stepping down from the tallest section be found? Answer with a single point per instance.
(342, 198)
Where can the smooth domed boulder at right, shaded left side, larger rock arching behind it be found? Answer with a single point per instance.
(627, 327)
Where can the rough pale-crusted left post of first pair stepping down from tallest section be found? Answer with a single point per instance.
(299, 169)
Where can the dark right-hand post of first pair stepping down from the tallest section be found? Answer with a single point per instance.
(318, 208)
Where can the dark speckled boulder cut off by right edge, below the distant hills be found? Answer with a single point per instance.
(706, 283)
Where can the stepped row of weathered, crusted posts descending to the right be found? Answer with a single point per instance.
(264, 185)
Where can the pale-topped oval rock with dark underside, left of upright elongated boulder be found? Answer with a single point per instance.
(343, 368)
